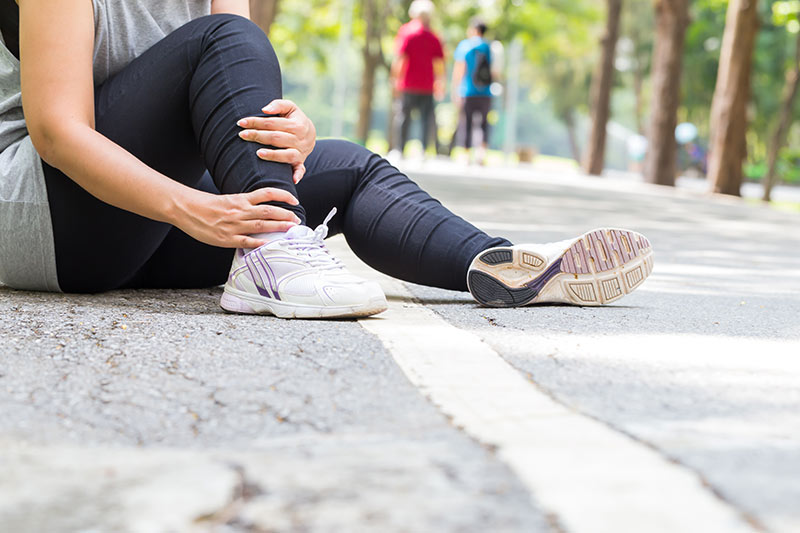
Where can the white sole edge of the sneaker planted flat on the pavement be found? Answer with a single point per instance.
(236, 301)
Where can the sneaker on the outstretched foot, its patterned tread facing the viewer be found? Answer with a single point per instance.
(599, 267)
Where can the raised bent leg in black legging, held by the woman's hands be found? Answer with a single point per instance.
(175, 108)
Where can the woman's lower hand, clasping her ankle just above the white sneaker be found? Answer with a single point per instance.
(229, 220)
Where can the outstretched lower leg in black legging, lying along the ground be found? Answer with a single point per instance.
(388, 221)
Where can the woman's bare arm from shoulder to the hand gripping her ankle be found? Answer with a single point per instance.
(58, 101)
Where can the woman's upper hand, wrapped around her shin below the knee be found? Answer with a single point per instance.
(292, 132)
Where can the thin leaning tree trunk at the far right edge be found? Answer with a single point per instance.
(785, 13)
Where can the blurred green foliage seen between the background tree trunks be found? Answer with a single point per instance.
(561, 48)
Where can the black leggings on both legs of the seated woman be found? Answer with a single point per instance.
(175, 108)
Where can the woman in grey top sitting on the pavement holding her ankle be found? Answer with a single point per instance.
(136, 165)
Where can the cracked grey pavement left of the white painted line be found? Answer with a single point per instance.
(135, 428)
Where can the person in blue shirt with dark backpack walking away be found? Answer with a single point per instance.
(471, 85)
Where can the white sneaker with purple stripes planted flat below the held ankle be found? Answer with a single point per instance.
(295, 276)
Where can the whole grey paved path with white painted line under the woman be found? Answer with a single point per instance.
(678, 406)
